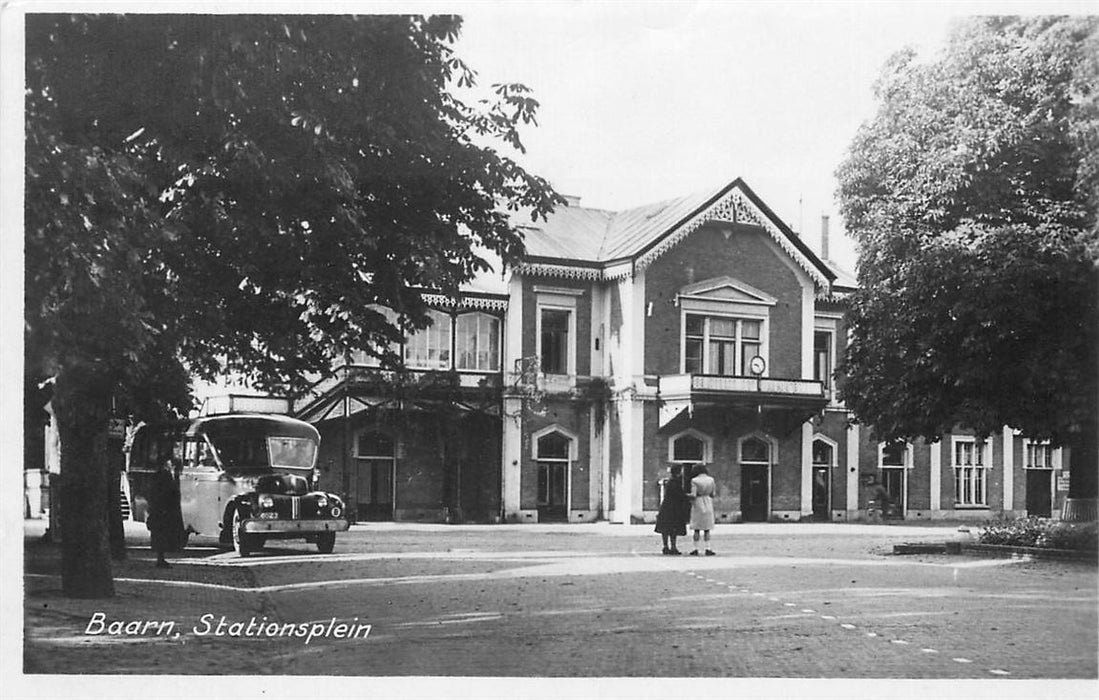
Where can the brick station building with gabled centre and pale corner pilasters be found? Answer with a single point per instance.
(700, 330)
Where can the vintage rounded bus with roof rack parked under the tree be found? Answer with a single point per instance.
(243, 479)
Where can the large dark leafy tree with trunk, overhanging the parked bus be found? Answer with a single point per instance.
(235, 194)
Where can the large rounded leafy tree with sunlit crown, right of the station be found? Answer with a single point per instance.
(973, 195)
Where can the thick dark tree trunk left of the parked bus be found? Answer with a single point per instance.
(82, 402)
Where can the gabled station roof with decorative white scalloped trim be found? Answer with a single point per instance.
(581, 242)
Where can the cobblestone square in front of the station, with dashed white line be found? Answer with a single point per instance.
(779, 602)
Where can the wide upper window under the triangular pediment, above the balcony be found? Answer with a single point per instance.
(720, 346)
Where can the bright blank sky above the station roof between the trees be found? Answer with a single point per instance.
(643, 102)
